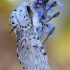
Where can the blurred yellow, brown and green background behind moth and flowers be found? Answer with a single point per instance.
(57, 46)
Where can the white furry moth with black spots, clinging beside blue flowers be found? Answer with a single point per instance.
(30, 51)
